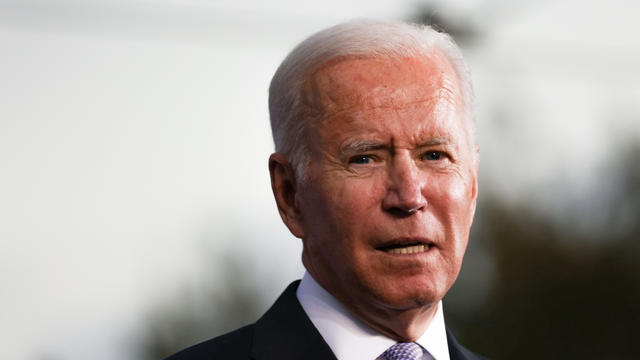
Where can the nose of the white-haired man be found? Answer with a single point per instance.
(404, 194)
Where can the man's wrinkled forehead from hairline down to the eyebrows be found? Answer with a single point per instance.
(403, 101)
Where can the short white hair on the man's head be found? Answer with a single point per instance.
(290, 116)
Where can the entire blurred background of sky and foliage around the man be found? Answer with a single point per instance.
(136, 215)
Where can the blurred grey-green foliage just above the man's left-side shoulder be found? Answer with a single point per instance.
(202, 311)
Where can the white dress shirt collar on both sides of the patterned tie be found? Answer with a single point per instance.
(351, 339)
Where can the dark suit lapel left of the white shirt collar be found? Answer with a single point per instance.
(285, 332)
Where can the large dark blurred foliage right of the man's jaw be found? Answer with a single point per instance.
(557, 293)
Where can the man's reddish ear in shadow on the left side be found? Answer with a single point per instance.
(283, 184)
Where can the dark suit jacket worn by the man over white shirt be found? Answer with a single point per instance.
(284, 332)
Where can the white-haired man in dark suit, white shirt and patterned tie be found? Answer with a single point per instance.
(376, 171)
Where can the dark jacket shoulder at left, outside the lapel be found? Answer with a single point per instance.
(233, 345)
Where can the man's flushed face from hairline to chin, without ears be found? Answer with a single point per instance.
(391, 188)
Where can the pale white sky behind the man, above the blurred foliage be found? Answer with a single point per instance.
(134, 135)
